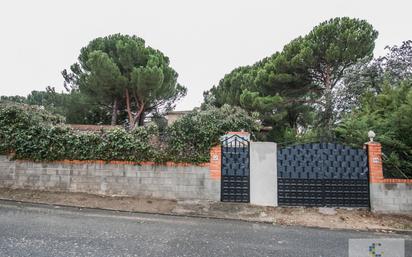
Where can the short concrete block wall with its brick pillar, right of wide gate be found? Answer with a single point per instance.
(387, 195)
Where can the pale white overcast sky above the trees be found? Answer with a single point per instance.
(203, 39)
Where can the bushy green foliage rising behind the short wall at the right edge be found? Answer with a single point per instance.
(389, 115)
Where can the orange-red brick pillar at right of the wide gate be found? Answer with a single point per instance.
(375, 162)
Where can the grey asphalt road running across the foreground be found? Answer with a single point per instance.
(35, 230)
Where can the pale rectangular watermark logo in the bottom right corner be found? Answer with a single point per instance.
(377, 247)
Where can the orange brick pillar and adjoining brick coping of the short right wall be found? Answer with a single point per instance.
(376, 168)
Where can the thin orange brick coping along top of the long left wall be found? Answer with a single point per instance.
(169, 164)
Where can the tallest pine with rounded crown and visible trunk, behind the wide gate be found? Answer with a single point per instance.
(325, 54)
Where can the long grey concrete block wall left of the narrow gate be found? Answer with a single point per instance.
(169, 181)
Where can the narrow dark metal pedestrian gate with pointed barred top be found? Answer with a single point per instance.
(235, 181)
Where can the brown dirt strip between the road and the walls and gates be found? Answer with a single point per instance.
(339, 218)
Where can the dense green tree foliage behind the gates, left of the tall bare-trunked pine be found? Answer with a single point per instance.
(262, 88)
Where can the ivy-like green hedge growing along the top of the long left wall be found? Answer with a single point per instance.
(32, 133)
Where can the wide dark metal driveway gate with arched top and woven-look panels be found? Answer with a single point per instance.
(322, 174)
